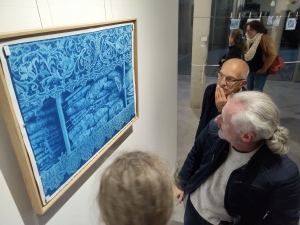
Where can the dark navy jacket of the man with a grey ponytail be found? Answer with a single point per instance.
(264, 191)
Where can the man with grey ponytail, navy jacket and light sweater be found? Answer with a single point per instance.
(237, 172)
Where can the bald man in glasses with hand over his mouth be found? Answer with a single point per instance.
(231, 79)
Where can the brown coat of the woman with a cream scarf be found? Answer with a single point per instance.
(269, 51)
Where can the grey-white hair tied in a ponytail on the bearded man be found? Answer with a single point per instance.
(260, 115)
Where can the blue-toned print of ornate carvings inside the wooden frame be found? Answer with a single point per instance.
(75, 93)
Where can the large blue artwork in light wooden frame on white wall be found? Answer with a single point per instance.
(67, 94)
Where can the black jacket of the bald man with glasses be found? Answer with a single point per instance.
(209, 108)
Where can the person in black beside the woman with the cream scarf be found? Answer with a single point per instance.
(236, 46)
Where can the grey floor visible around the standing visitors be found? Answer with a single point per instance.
(285, 94)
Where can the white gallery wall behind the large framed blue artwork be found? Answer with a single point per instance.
(156, 128)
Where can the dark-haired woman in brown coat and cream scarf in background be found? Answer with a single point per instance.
(260, 52)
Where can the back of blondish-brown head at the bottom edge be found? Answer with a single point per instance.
(136, 189)
